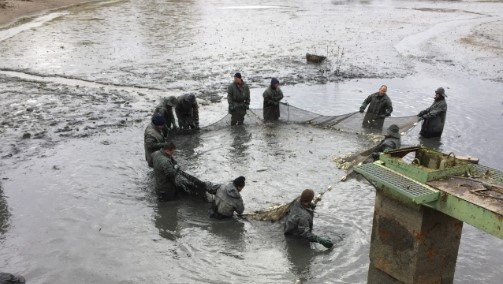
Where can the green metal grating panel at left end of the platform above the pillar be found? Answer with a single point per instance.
(405, 186)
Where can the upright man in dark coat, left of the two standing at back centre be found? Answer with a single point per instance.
(238, 97)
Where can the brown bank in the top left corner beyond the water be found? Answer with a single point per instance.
(11, 11)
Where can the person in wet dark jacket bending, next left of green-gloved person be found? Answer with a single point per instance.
(227, 199)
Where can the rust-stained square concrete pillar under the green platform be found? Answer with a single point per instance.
(411, 243)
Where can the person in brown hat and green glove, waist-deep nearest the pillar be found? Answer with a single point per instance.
(299, 219)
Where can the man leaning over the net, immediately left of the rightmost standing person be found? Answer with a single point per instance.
(380, 107)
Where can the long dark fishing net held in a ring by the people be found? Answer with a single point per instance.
(351, 123)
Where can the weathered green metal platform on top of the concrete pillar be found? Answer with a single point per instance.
(457, 187)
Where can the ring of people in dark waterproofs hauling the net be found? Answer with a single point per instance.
(226, 198)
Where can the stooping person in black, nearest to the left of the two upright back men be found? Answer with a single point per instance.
(187, 111)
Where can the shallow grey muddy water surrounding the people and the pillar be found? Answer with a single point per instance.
(77, 206)
